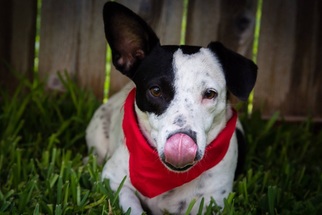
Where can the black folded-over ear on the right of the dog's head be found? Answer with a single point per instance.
(240, 72)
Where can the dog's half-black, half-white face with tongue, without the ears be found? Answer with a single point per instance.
(181, 103)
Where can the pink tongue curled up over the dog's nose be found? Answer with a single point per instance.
(180, 150)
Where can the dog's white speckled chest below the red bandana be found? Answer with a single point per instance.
(206, 186)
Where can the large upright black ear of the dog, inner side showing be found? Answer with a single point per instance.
(129, 37)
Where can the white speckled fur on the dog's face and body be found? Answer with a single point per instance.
(193, 75)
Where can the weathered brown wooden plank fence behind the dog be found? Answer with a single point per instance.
(72, 39)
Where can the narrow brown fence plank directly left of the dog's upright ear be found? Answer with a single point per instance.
(92, 47)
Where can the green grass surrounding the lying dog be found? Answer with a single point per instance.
(42, 144)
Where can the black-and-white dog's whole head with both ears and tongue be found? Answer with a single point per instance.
(181, 96)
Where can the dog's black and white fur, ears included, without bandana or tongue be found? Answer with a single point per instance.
(185, 76)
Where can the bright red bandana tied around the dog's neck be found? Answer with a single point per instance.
(147, 172)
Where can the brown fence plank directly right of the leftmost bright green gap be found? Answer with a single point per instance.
(58, 40)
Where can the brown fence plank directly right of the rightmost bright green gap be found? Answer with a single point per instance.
(276, 47)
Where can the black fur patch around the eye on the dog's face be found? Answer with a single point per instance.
(156, 70)
